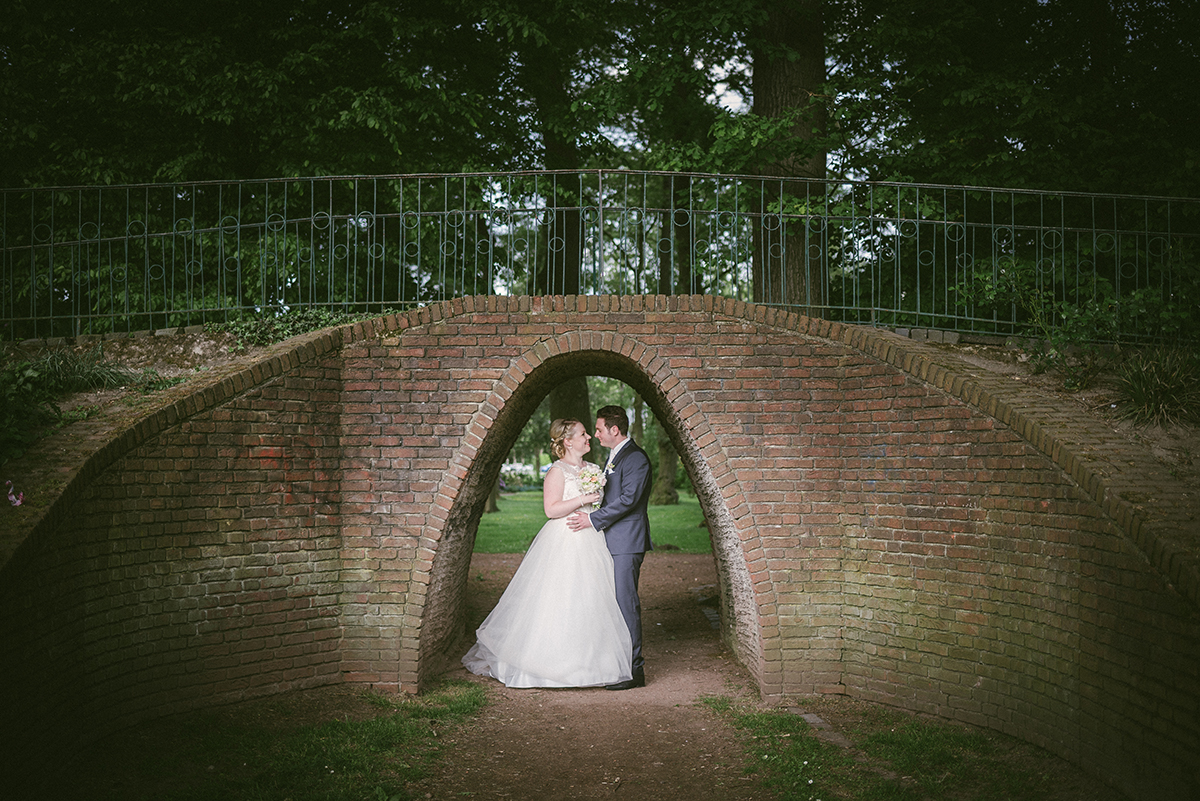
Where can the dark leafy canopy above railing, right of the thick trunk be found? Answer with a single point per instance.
(1089, 95)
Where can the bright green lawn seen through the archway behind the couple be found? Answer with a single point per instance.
(512, 529)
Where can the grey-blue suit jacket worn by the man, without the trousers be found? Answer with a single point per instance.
(623, 515)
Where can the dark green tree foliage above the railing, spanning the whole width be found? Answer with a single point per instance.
(1009, 94)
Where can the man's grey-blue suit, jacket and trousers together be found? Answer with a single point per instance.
(626, 522)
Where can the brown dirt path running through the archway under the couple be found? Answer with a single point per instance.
(652, 743)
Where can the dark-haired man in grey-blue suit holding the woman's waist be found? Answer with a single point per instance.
(626, 523)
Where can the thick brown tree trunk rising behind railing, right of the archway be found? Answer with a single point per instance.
(789, 76)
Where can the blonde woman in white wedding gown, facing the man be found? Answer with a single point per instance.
(557, 624)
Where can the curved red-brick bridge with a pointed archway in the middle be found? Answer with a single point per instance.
(886, 525)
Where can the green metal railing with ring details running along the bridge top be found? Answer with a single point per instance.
(80, 261)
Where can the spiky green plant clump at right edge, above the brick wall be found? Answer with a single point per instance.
(1160, 388)
